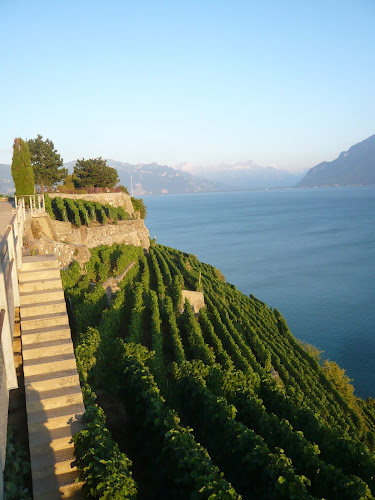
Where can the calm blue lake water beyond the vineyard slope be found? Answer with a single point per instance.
(308, 252)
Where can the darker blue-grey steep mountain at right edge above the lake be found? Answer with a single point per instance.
(355, 167)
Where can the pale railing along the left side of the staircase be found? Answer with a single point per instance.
(10, 262)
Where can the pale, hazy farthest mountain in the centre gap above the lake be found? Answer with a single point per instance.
(245, 175)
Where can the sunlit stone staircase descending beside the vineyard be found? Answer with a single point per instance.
(53, 395)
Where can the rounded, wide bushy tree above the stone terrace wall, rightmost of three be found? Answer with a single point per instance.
(95, 172)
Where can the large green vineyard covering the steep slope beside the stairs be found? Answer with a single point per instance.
(221, 404)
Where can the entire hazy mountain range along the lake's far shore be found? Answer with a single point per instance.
(353, 167)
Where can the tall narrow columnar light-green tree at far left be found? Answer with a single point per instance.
(22, 172)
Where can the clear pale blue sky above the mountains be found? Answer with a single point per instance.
(285, 83)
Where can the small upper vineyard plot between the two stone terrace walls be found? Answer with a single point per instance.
(84, 213)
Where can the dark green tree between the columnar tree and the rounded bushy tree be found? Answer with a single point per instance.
(46, 162)
